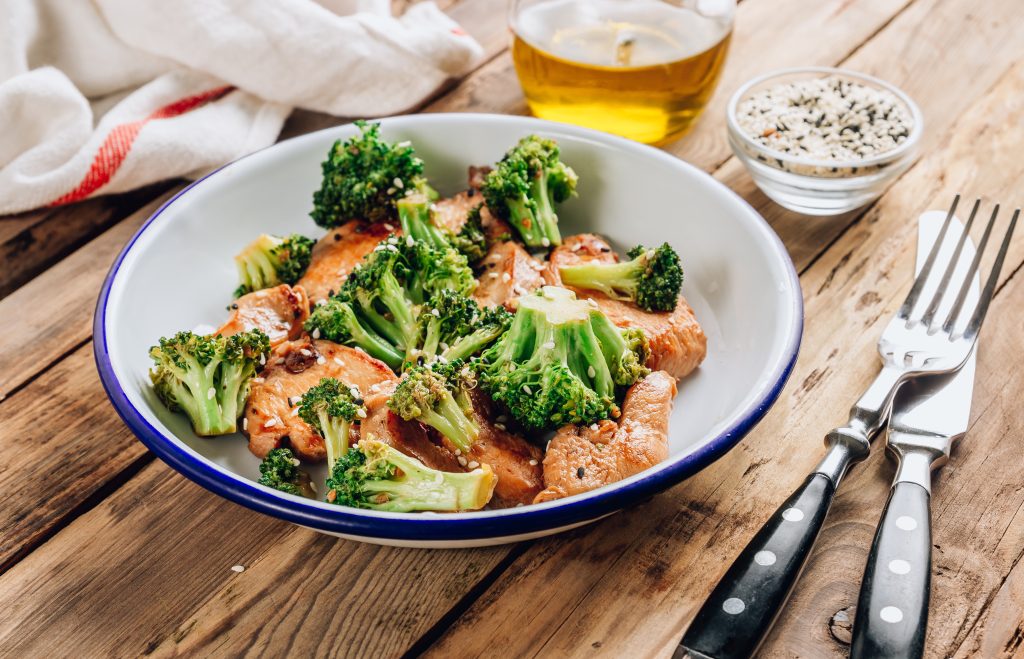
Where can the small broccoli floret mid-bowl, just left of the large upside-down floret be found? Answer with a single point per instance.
(454, 327)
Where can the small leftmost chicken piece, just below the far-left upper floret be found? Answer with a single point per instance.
(279, 312)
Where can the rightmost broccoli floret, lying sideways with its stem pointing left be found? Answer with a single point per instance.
(653, 279)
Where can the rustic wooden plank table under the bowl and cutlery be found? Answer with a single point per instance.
(106, 551)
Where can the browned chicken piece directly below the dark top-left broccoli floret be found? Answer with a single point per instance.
(337, 253)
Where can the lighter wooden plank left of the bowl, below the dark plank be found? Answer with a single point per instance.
(53, 315)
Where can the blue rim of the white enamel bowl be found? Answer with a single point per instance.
(419, 528)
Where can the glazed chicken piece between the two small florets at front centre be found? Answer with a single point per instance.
(408, 436)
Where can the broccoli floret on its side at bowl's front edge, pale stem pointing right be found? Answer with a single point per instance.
(375, 476)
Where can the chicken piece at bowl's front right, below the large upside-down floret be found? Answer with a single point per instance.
(581, 459)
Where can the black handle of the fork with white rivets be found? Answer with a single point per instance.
(738, 616)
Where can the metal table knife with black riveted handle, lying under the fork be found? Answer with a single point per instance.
(929, 415)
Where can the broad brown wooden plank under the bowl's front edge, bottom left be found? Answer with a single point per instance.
(149, 572)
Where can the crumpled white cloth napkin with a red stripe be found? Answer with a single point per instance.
(109, 96)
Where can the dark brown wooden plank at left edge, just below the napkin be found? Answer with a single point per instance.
(31, 242)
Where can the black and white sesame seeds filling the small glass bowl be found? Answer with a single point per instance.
(829, 119)
